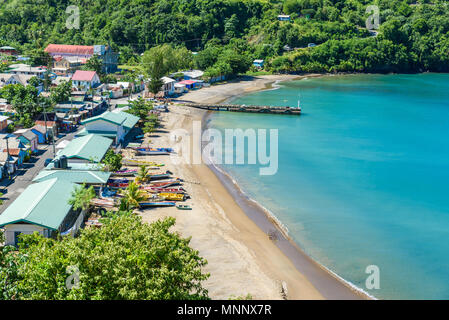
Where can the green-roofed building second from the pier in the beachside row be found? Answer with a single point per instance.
(90, 148)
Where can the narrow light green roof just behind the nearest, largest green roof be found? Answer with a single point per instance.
(75, 176)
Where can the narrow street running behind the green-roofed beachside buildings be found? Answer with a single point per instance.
(24, 176)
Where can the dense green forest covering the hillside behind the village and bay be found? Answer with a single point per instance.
(413, 36)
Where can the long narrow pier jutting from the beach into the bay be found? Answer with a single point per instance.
(244, 108)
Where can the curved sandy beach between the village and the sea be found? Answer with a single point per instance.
(228, 232)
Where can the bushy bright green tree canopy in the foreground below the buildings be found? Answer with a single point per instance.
(124, 259)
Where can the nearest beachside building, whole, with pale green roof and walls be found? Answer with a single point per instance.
(42, 207)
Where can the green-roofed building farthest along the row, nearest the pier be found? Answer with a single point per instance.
(114, 125)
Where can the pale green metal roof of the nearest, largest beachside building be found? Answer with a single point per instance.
(44, 204)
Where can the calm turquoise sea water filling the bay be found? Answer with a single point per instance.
(363, 176)
